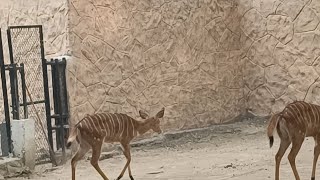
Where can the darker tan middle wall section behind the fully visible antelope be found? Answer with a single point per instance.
(183, 55)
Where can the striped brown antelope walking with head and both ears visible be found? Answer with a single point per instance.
(93, 130)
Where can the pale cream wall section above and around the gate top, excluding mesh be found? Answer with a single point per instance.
(52, 15)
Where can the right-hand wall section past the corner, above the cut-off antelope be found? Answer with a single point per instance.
(282, 64)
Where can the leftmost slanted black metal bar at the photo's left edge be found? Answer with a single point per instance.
(5, 97)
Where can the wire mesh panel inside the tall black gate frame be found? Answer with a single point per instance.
(26, 48)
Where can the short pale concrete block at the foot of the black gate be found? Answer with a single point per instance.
(23, 141)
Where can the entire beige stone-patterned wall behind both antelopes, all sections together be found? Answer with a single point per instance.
(205, 61)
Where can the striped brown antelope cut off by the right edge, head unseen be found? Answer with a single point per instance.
(297, 121)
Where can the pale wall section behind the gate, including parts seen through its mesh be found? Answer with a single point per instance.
(53, 16)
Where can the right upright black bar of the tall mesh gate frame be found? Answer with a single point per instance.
(46, 90)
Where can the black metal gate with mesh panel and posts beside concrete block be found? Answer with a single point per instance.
(27, 61)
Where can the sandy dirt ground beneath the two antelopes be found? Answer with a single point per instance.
(237, 151)
